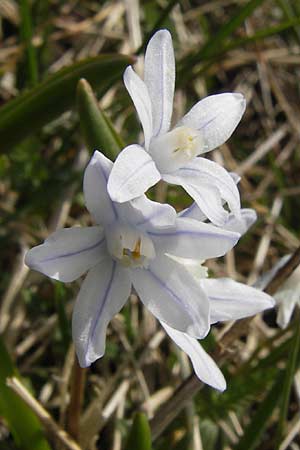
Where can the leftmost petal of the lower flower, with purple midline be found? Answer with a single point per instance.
(68, 253)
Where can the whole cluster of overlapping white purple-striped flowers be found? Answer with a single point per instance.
(140, 244)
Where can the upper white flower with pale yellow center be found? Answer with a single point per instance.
(173, 155)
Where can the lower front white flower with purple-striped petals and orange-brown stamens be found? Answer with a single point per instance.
(129, 248)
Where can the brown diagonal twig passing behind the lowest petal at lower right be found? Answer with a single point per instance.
(192, 385)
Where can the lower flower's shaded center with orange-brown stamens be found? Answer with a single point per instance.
(129, 246)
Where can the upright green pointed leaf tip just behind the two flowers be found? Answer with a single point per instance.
(98, 132)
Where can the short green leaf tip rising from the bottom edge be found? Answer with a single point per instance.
(140, 435)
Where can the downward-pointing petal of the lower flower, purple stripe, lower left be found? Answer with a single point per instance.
(102, 295)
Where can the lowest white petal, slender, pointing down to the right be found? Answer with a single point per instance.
(204, 366)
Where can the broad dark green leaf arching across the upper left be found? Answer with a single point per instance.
(32, 110)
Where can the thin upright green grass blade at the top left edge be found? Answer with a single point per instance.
(26, 35)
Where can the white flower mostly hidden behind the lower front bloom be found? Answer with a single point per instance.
(229, 300)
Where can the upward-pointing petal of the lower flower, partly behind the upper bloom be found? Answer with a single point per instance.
(96, 196)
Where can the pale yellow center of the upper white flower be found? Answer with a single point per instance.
(173, 150)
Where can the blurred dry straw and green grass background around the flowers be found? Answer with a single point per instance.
(252, 47)
